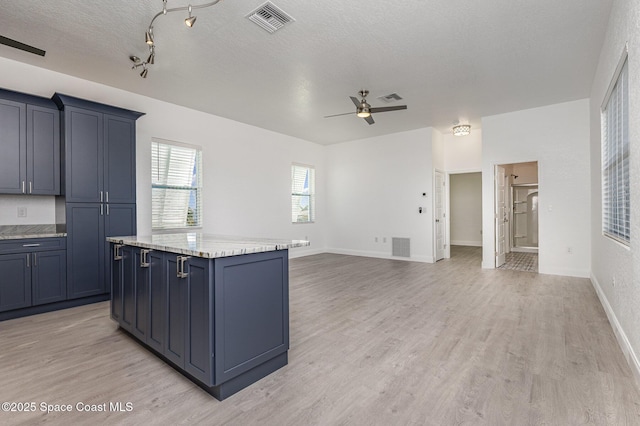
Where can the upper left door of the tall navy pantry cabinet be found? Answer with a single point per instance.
(84, 165)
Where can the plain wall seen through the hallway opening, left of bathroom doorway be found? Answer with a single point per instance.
(466, 209)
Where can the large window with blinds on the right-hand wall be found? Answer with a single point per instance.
(616, 209)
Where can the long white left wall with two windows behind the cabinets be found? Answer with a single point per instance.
(246, 176)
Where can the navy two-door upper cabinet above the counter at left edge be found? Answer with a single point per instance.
(30, 143)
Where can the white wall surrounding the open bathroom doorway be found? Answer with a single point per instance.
(557, 136)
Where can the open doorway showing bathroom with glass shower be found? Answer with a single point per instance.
(516, 214)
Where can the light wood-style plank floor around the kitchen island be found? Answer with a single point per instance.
(373, 342)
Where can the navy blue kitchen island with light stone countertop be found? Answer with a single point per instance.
(216, 308)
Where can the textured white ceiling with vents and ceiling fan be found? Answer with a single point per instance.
(449, 59)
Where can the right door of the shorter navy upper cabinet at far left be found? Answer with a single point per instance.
(43, 151)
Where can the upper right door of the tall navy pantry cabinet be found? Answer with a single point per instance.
(119, 159)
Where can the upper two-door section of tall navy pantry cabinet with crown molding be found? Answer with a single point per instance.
(100, 143)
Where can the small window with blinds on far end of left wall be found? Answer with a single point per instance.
(302, 193)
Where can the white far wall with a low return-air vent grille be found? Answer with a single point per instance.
(374, 189)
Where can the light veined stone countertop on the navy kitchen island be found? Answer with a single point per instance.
(206, 245)
